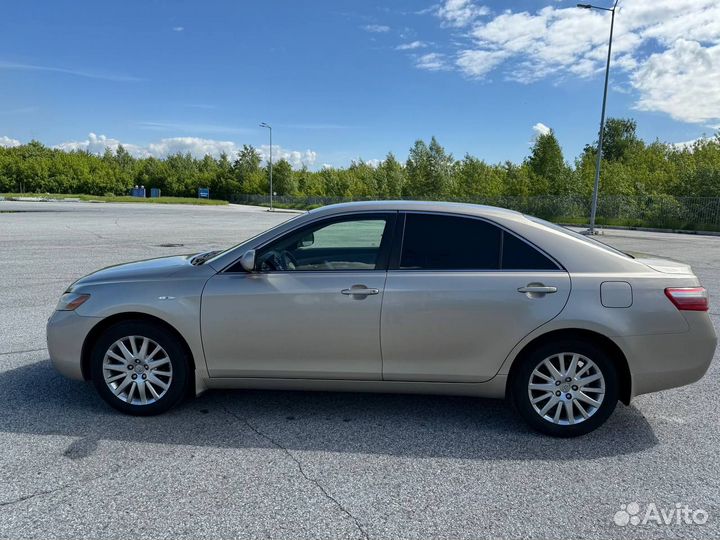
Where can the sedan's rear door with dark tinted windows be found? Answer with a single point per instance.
(461, 292)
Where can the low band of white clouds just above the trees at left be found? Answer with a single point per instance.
(195, 146)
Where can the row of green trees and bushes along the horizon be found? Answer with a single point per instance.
(630, 167)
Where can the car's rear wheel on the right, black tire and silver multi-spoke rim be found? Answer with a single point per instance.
(566, 388)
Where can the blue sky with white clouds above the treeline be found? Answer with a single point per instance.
(342, 80)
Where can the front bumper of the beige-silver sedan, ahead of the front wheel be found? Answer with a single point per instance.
(66, 333)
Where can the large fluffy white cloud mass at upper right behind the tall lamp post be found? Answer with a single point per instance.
(665, 50)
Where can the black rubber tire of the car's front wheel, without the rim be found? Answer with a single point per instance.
(175, 352)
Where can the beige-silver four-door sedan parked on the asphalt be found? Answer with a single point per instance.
(418, 297)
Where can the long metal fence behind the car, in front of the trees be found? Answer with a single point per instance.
(661, 211)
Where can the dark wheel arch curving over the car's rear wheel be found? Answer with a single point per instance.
(605, 343)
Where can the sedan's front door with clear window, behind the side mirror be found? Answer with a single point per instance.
(310, 310)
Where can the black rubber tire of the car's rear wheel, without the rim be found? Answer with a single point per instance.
(521, 378)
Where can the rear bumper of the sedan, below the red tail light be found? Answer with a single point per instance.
(658, 362)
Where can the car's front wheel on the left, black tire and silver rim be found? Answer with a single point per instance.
(139, 368)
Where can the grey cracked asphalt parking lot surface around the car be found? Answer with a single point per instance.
(260, 464)
